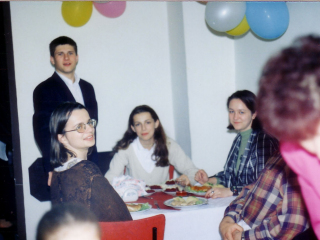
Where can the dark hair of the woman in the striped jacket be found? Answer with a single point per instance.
(249, 99)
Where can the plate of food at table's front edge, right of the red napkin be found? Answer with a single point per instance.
(185, 202)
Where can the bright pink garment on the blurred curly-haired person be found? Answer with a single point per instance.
(307, 167)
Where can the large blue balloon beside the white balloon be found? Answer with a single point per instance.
(269, 20)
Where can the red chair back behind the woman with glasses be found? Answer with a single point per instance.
(141, 229)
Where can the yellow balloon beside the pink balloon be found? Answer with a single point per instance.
(76, 13)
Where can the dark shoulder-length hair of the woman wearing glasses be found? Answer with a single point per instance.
(58, 121)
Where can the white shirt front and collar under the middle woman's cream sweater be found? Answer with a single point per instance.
(144, 155)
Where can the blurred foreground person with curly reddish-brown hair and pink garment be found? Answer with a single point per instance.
(289, 107)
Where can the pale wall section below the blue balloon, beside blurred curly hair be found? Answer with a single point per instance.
(252, 53)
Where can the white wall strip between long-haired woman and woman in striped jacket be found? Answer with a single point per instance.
(210, 76)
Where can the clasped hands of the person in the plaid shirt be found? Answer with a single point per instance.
(229, 230)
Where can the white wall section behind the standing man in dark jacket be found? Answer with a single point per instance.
(126, 59)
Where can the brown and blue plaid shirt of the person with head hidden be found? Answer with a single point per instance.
(273, 205)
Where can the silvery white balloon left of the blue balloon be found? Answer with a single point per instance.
(224, 16)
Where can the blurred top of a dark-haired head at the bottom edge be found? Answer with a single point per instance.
(68, 222)
